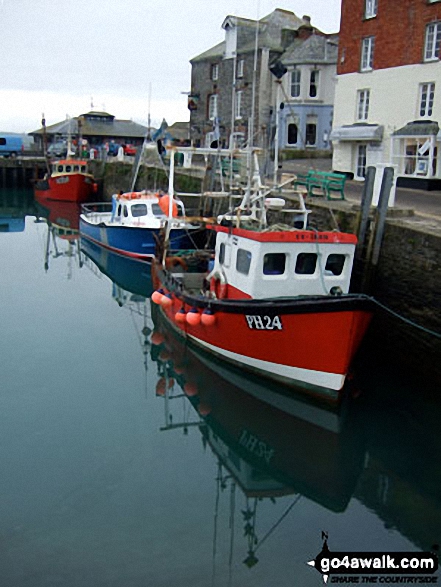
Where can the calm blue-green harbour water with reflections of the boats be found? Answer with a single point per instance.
(128, 463)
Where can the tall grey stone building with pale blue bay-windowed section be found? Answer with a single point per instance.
(232, 80)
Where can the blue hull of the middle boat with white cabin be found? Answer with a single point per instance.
(132, 241)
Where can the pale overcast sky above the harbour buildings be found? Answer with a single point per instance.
(126, 57)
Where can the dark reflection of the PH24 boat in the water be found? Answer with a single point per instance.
(267, 444)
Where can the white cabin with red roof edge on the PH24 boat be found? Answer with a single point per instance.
(282, 264)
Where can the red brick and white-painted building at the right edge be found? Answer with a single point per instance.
(388, 101)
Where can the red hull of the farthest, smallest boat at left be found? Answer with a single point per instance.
(67, 188)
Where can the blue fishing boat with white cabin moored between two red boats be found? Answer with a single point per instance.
(132, 223)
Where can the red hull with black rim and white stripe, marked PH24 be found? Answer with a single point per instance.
(303, 341)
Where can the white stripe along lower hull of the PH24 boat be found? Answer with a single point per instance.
(323, 379)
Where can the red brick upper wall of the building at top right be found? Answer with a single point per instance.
(398, 28)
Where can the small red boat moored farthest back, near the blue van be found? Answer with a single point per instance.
(69, 181)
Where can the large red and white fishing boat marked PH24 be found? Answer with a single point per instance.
(273, 300)
